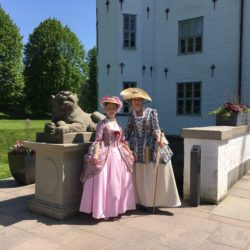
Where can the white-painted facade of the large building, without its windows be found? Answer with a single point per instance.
(157, 46)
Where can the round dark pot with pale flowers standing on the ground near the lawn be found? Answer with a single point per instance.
(22, 160)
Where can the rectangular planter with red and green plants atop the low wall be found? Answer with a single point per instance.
(232, 114)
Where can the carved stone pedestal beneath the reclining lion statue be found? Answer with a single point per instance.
(58, 169)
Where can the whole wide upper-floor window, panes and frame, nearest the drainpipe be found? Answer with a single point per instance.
(190, 35)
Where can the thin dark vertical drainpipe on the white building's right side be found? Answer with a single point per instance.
(241, 49)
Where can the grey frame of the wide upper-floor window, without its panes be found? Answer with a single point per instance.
(193, 37)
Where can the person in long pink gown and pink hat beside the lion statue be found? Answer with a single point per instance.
(108, 188)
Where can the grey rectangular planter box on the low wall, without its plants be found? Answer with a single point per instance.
(236, 119)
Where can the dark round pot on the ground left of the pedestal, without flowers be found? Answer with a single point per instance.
(22, 167)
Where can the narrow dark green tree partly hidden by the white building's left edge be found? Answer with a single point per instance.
(88, 95)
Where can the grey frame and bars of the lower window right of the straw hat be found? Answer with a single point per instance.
(185, 98)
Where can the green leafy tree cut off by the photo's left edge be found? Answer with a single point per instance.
(11, 67)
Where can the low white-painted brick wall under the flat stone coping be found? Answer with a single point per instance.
(218, 158)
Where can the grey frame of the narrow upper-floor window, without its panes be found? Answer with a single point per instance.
(130, 31)
